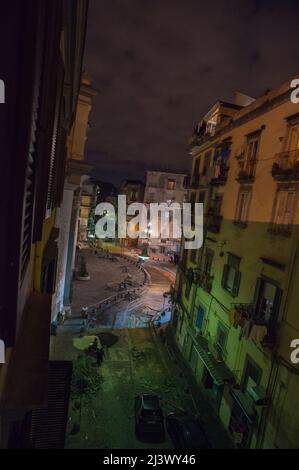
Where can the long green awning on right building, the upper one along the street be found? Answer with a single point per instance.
(218, 370)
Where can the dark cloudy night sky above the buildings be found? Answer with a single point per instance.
(160, 64)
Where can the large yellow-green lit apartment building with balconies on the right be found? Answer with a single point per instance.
(235, 307)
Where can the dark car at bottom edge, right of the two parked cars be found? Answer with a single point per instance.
(186, 432)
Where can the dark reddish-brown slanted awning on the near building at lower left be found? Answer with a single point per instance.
(26, 381)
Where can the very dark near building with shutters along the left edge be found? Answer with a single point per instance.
(38, 116)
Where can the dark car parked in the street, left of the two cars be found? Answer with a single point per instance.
(149, 419)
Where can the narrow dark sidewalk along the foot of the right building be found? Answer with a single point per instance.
(182, 373)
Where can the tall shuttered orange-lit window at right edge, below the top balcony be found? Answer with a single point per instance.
(284, 206)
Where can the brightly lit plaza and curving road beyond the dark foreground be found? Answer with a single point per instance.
(105, 277)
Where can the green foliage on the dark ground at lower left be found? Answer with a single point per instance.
(87, 379)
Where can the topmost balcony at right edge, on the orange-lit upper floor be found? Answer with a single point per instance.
(286, 166)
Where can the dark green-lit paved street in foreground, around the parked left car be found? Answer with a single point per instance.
(132, 365)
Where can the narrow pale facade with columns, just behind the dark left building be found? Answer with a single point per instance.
(72, 214)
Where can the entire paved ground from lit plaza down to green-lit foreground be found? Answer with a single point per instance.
(136, 361)
